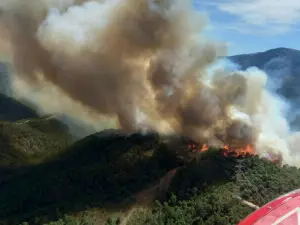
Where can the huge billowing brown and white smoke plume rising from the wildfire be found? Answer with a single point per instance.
(145, 64)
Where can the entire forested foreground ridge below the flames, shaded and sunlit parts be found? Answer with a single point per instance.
(105, 174)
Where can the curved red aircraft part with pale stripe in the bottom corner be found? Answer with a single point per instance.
(284, 210)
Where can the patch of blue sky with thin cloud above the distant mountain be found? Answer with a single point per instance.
(253, 25)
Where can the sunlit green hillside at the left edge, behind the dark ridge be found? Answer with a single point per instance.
(31, 141)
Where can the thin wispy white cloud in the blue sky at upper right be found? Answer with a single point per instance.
(276, 16)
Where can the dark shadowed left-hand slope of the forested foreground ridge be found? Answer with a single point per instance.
(106, 168)
